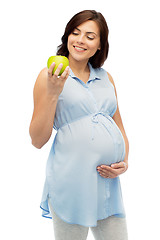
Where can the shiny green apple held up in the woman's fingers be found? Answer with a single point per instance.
(58, 59)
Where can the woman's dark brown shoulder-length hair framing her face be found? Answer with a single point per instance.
(101, 55)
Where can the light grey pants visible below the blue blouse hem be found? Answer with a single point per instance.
(111, 228)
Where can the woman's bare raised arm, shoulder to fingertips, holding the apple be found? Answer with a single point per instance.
(46, 91)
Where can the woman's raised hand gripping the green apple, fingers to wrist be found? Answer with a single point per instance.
(55, 83)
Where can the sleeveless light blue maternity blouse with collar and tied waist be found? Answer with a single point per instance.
(86, 137)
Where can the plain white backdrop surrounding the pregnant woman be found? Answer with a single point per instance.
(30, 33)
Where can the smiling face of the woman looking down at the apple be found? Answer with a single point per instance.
(84, 41)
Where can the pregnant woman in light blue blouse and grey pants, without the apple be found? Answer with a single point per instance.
(90, 148)
